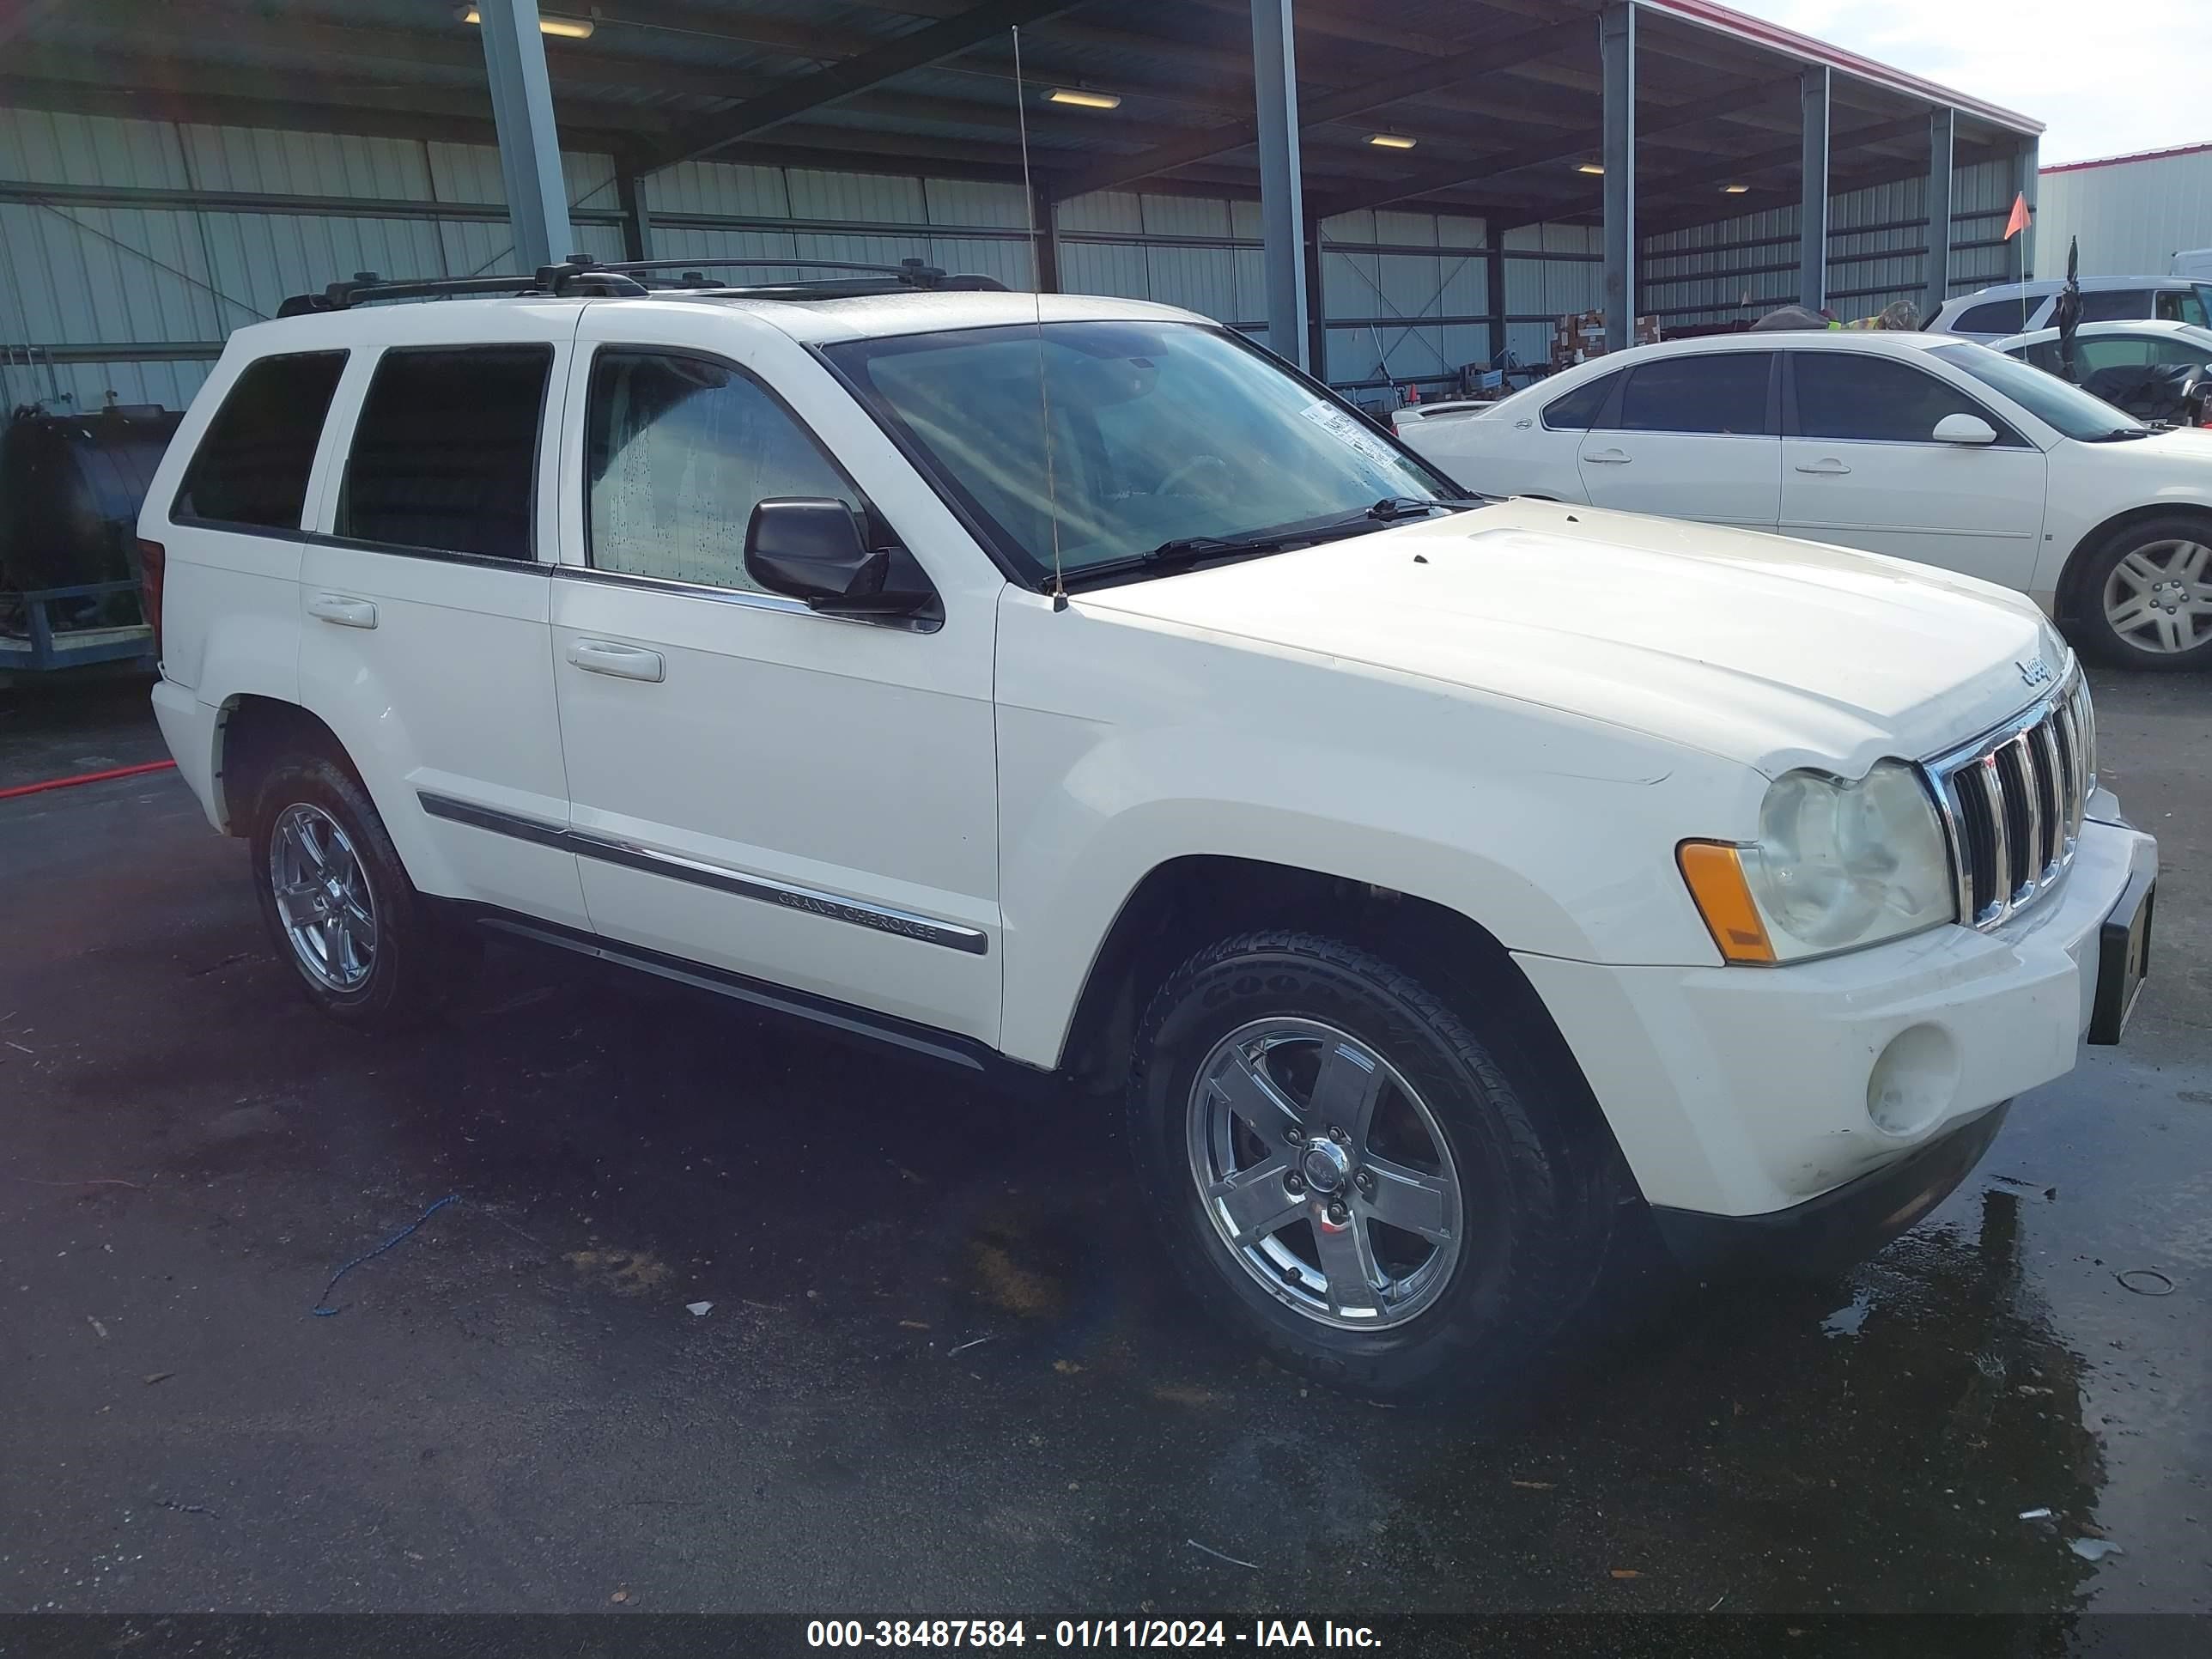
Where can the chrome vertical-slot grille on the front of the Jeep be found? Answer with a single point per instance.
(2014, 802)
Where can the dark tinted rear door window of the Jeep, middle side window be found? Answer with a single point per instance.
(446, 452)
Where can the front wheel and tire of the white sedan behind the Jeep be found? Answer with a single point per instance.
(2145, 596)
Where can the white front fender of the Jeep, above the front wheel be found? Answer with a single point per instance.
(1556, 835)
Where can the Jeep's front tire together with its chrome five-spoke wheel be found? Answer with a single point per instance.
(1348, 1173)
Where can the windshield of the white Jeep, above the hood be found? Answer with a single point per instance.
(1160, 432)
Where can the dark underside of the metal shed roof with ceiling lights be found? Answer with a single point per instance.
(1499, 98)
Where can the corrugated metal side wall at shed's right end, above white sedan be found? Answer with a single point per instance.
(1877, 253)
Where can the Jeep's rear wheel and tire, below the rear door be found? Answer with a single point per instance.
(362, 941)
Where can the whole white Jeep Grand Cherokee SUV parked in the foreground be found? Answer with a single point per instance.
(1072, 691)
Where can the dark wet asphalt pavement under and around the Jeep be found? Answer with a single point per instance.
(941, 1366)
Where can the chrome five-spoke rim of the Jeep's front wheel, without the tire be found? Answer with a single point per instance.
(1326, 1173)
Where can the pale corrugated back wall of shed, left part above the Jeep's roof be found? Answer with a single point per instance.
(132, 249)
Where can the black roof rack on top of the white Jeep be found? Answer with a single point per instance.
(585, 275)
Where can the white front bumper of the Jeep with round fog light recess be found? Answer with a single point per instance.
(1746, 1092)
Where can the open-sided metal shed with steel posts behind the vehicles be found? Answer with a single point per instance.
(1386, 194)
